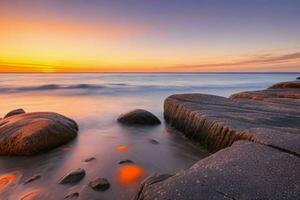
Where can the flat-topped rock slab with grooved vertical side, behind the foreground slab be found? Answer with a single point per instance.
(217, 122)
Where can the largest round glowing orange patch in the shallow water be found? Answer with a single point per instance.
(130, 173)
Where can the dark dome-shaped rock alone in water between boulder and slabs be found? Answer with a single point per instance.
(139, 116)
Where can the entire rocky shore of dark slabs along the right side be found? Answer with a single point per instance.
(256, 140)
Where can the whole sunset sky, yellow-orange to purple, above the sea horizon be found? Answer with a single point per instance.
(149, 36)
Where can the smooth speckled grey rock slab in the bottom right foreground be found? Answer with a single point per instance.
(245, 170)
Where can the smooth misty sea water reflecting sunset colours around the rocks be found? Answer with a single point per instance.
(95, 101)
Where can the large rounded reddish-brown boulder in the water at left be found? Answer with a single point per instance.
(33, 133)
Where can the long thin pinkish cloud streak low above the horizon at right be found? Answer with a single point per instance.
(256, 60)
